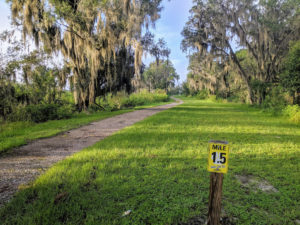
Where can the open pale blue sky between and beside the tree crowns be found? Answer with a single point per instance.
(173, 18)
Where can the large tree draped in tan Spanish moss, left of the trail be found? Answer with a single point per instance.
(100, 39)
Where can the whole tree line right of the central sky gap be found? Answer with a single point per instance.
(247, 49)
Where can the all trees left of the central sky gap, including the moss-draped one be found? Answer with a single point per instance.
(101, 44)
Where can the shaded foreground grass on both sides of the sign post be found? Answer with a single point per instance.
(157, 190)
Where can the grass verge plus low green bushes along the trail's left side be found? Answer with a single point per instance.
(30, 120)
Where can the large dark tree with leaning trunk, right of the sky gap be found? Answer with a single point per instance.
(264, 28)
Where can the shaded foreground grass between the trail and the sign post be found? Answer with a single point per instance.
(99, 192)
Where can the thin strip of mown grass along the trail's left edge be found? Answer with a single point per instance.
(19, 133)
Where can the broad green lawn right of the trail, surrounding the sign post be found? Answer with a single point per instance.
(157, 169)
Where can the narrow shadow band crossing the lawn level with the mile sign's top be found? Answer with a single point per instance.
(159, 138)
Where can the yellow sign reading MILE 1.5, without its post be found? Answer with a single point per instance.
(218, 156)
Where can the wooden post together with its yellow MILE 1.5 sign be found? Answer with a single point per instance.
(217, 165)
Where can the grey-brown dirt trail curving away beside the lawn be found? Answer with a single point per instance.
(22, 165)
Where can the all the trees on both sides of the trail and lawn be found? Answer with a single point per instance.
(246, 52)
